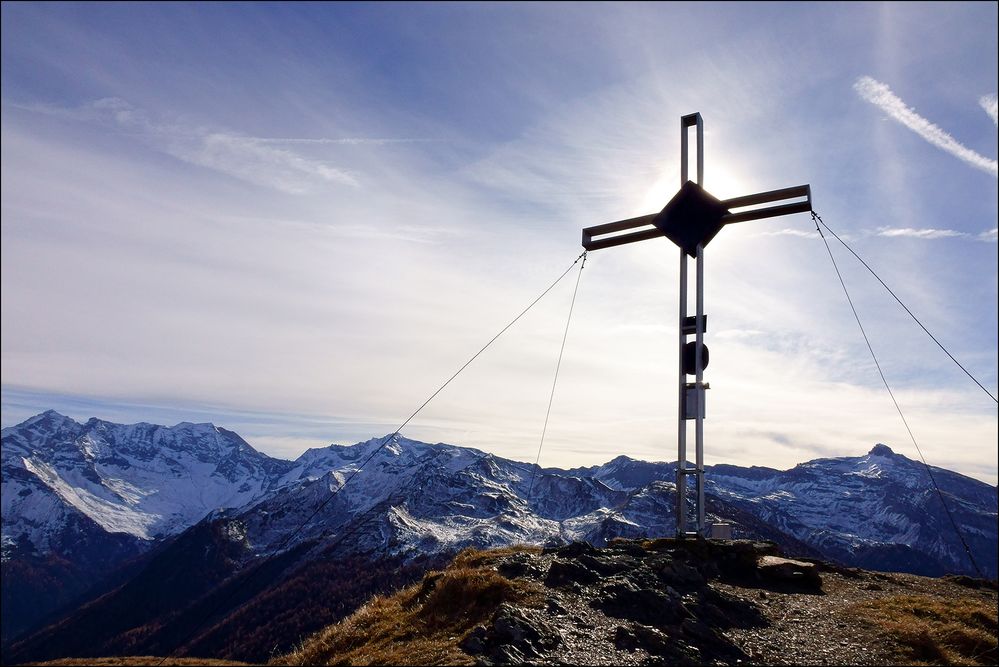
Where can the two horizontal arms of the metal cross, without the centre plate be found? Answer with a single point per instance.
(590, 234)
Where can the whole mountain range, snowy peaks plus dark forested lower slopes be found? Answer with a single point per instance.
(154, 539)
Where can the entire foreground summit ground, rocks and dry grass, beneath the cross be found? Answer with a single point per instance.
(668, 601)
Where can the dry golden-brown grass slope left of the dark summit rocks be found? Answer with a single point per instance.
(423, 623)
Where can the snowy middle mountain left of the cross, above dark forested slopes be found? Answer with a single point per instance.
(413, 497)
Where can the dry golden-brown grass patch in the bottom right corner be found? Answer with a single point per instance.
(937, 631)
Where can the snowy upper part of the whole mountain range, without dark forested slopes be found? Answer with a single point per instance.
(96, 494)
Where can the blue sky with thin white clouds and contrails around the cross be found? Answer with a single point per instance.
(296, 221)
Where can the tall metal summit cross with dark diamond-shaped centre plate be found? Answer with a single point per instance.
(691, 219)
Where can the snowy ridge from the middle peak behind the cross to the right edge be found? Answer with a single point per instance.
(878, 510)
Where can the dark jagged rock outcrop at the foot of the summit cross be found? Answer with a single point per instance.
(646, 602)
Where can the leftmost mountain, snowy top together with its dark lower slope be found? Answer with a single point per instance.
(79, 500)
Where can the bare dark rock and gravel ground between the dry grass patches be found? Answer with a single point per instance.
(695, 602)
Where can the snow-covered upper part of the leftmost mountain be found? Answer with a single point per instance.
(142, 480)
